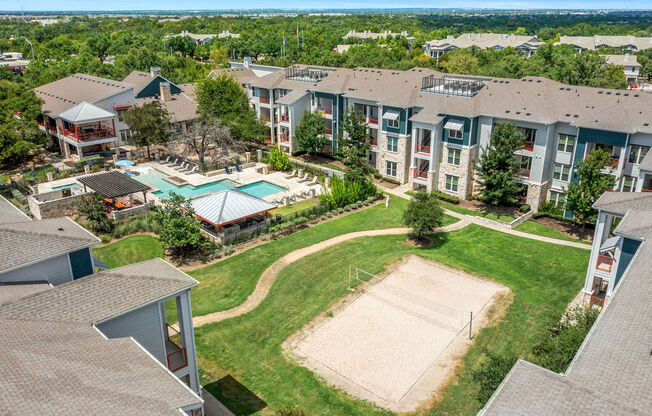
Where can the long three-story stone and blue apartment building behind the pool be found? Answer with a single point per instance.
(427, 129)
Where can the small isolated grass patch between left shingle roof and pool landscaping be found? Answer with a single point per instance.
(130, 250)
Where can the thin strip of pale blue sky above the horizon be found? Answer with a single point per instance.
(257, 4)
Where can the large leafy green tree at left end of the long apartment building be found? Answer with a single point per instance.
(222, 98)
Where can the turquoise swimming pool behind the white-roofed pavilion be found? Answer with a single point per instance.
(154, 178)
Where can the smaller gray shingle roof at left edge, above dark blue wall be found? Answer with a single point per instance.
(28, 241)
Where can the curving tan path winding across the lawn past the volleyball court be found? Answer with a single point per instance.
(269, 275)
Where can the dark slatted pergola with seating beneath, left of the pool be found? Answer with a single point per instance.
(118, 191)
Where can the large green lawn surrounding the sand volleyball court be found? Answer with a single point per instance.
(543, 277)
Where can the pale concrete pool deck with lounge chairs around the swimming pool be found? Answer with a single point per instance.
(294, 190)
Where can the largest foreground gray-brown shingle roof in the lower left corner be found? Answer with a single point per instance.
(54, 362)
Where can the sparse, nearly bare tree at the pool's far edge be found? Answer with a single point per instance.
(207, 137)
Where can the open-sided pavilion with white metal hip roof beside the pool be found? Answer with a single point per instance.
(228, 213)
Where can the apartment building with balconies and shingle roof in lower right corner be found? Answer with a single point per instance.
(611, 372)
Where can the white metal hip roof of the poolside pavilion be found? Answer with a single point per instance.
(228, 206)
